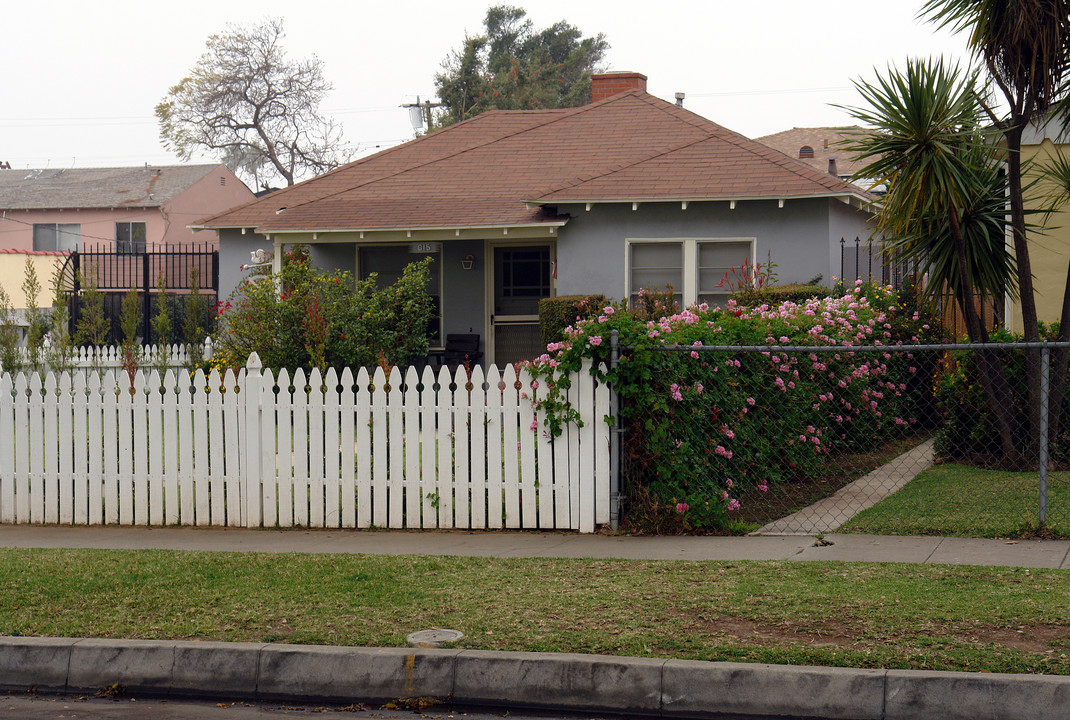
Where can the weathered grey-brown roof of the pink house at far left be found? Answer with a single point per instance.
(97, 188)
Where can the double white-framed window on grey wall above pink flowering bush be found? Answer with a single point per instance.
(695, 268)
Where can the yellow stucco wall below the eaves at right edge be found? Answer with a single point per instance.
(1049, 249)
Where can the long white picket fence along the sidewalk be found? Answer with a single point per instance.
(250, 450)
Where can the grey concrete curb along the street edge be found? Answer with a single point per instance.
(532, 681)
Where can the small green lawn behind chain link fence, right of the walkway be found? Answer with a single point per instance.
(972, 502)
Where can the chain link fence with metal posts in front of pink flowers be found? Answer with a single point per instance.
(808, 440)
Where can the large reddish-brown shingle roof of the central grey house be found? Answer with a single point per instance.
(482, 172)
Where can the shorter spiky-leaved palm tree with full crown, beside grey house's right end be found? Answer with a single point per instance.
(944, 200)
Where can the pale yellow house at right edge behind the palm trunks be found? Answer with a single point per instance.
(1050, 243)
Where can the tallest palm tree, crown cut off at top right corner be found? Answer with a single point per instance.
(1026, 48)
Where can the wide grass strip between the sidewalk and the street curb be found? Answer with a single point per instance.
(860, 616)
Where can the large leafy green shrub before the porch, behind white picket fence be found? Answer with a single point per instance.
(326, 319)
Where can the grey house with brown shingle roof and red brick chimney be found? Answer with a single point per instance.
(628, 192)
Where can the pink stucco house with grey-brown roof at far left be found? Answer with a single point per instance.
(129, 209)
